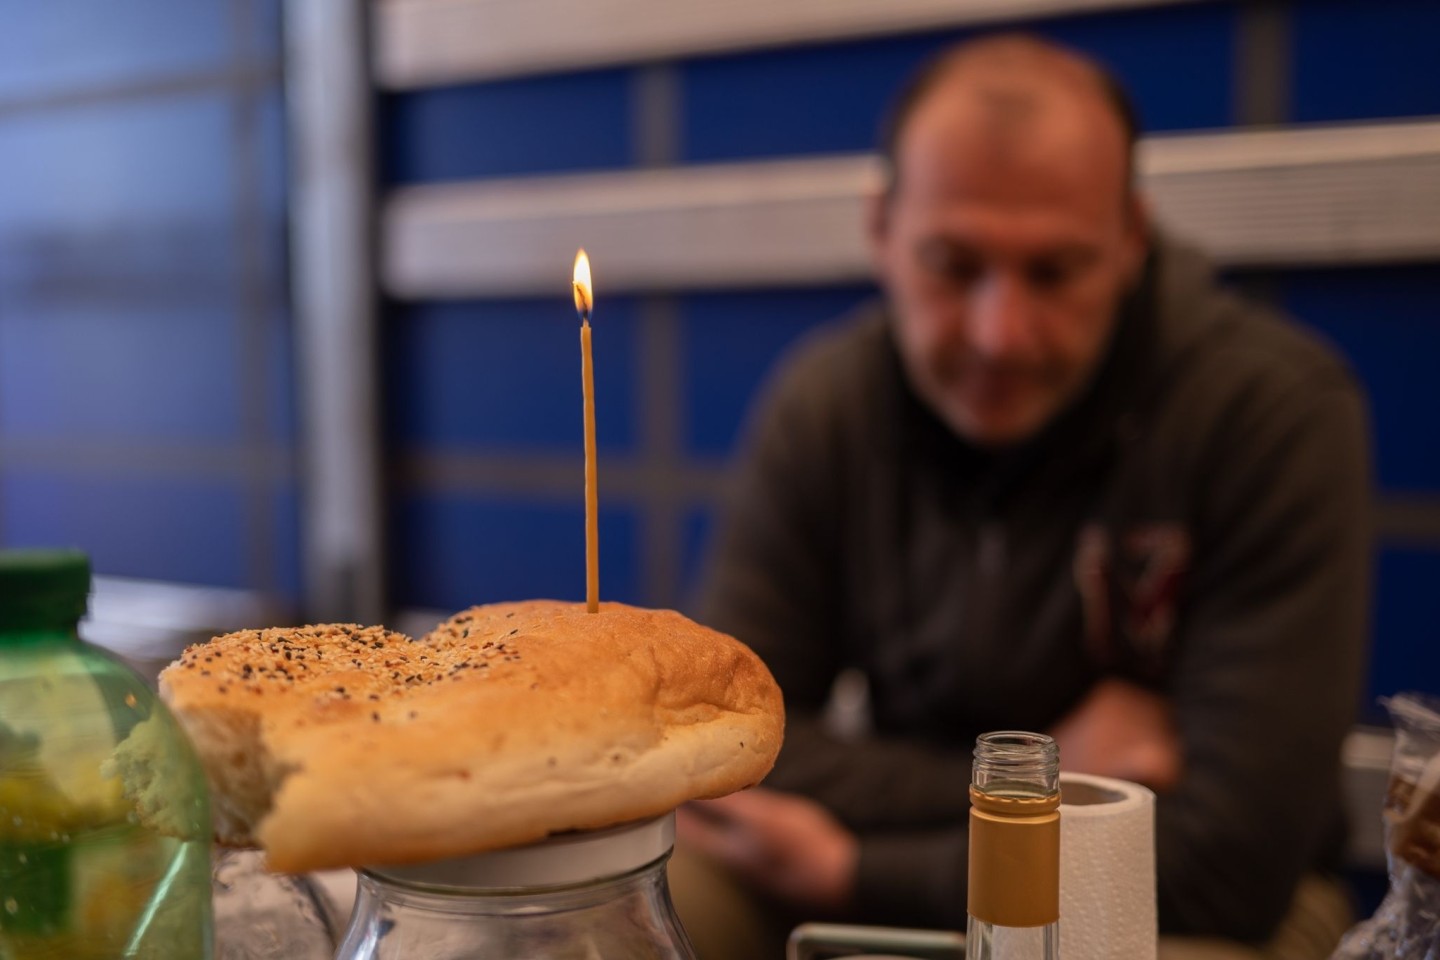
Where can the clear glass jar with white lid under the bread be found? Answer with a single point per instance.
(590, 896)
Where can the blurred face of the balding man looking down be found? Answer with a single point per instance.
(1006, 250)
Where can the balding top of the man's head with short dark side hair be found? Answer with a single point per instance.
(1010, 87)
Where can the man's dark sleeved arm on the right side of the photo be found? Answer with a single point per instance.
(1269, 663)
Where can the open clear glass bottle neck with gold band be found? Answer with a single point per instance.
(1014, 871)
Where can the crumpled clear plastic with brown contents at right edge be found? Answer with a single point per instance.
(1408, 923)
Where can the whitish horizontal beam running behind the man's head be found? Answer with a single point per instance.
(1297, 196)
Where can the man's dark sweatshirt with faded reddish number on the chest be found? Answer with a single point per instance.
(1197, 522)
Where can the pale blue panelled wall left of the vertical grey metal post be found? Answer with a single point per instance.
(142, 232)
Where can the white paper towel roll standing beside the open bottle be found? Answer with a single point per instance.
(1107, 870)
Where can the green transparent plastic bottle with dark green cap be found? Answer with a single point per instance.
(104, 820)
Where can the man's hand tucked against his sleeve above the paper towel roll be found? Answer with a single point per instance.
(1125, 732)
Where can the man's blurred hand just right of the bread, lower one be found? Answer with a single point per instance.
(787, 846)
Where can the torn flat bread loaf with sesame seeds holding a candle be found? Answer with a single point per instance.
(343, 746)
